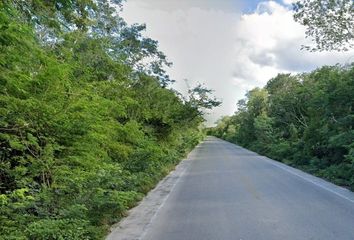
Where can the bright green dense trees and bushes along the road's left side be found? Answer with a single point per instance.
(88, 124)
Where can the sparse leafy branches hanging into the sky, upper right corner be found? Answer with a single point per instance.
(329, 23)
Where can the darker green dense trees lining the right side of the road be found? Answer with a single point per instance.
(306, 121)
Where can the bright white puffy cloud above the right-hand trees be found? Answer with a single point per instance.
(269, 41)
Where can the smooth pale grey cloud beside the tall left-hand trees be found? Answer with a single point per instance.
(198, 40)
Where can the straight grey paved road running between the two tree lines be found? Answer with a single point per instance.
(229, 193)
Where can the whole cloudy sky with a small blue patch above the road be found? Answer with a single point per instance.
(230, 46)
